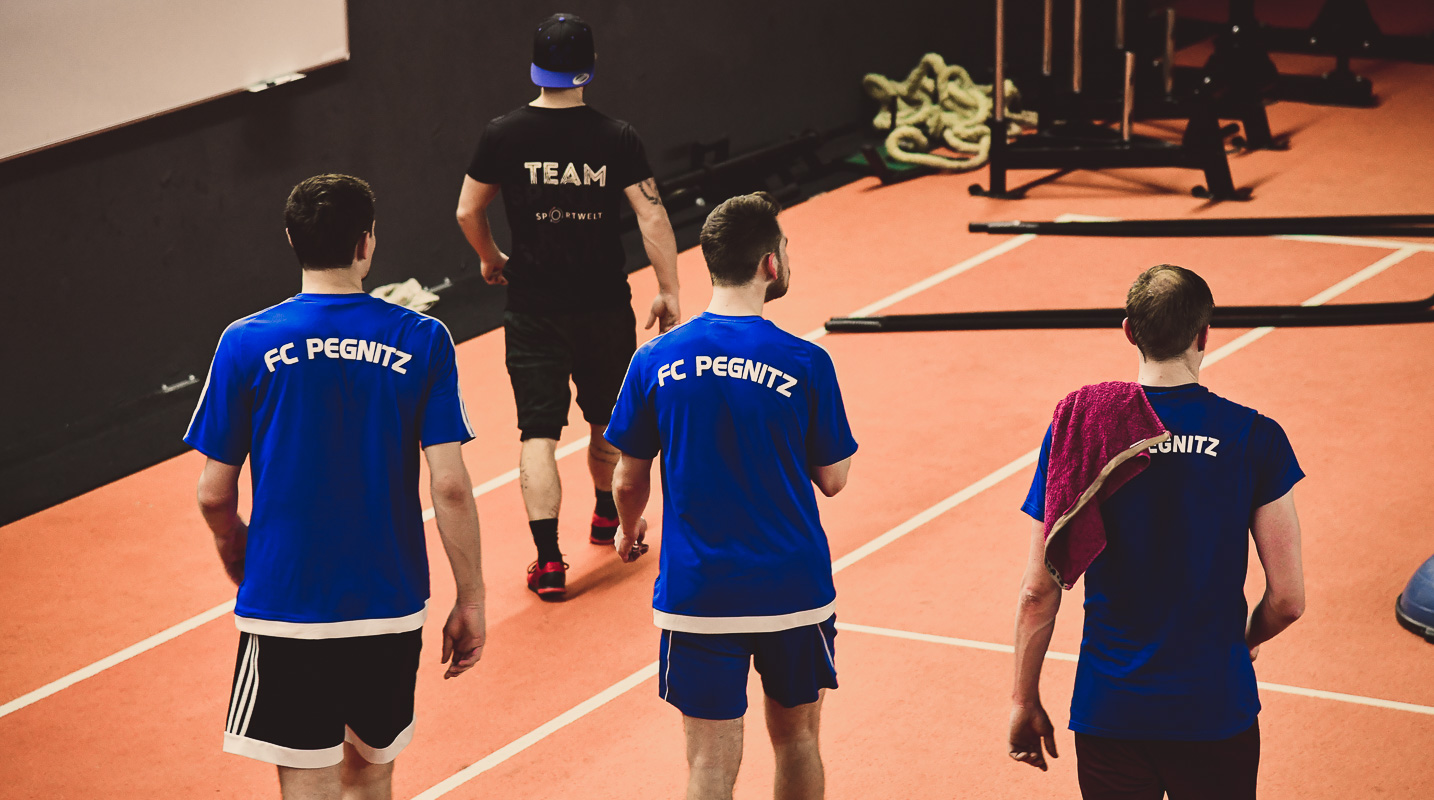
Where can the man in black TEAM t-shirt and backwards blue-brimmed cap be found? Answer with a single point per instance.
(563, 170)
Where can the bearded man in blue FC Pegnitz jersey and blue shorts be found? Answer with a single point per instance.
(746, 418)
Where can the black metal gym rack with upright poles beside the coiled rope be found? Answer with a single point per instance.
(1073, 133)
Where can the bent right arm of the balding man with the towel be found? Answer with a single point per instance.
(1277, 540)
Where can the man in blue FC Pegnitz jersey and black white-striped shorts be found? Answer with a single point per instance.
(332, 395)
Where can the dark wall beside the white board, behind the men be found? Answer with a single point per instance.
(128, 253)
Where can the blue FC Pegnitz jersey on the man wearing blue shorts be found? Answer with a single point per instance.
(741, 412)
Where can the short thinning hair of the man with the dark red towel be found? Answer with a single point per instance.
(1168, 306)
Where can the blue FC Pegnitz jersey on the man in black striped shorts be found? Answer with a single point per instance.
(331, 396)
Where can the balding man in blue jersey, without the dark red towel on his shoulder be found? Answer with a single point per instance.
(1165, 696)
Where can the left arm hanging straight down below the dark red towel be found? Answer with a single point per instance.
(1035, 624)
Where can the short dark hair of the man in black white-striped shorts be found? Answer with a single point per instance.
(326, 217)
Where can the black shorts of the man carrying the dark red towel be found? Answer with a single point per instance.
(1125, 769)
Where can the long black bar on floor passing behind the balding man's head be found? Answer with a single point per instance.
(1072, 319)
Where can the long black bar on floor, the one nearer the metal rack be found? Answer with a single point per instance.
(1347, 226)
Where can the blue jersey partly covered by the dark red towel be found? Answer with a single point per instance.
(1164, 652)
